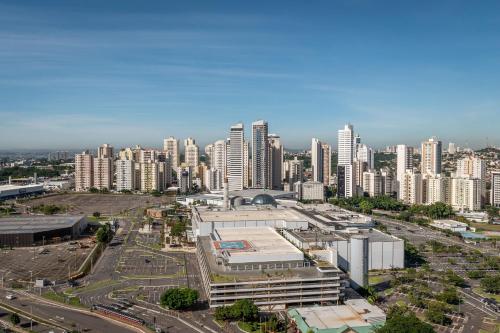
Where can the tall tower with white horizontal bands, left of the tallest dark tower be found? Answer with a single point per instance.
(235, 158)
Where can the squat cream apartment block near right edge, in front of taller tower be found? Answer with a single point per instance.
(466, 194)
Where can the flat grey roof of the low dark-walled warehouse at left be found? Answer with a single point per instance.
(32, 224)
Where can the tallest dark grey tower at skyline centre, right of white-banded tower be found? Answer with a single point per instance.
(260, 154)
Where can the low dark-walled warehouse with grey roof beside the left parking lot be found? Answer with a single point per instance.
(27, 231)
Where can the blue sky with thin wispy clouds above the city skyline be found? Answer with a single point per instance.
(75, 74)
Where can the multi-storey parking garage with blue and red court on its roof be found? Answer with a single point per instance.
(259, 264)
